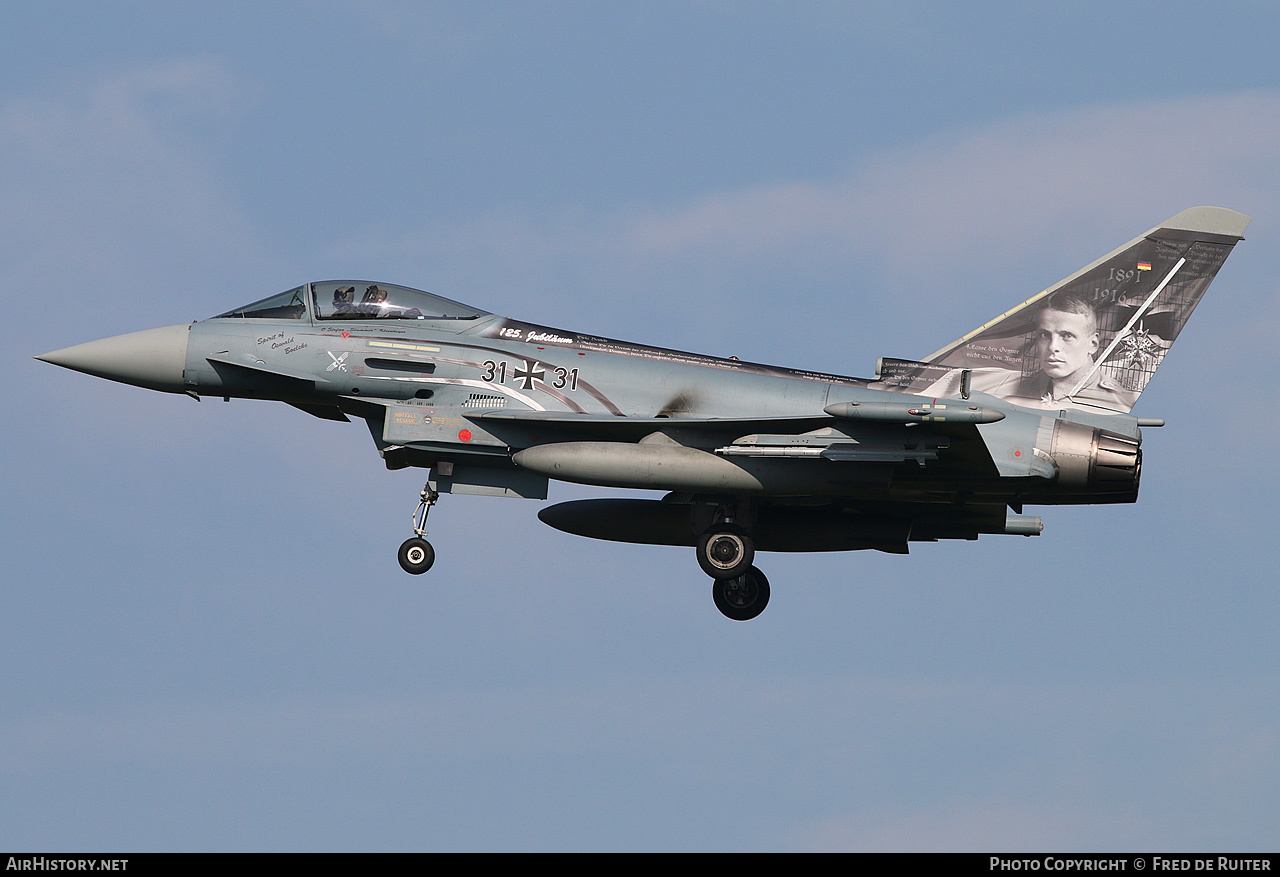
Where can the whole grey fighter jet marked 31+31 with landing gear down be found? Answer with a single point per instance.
(1032, 408)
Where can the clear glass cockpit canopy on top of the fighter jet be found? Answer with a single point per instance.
(356, 300)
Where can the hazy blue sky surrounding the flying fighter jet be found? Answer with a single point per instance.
(208, 642)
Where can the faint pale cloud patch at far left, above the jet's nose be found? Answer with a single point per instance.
(108, 175)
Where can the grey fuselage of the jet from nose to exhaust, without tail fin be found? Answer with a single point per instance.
(444, 382)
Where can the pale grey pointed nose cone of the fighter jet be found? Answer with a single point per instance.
(154, 359)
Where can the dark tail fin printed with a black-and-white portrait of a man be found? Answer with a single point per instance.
(1094, 340)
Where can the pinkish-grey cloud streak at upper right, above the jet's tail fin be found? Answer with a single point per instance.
(1016, 182)
